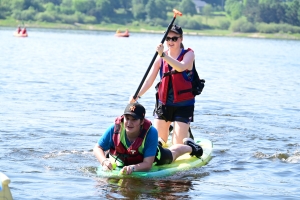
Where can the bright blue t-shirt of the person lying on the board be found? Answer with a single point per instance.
(150, 145)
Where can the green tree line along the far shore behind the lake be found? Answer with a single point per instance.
(242, 15)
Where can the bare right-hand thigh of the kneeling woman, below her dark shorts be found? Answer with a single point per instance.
(180, 131)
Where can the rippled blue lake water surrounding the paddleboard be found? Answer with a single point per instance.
(60, 89)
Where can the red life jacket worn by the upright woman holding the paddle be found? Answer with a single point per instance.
(181, 87)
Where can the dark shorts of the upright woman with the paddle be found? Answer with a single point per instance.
(183, 114)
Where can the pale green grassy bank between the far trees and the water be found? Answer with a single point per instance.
(145, 28)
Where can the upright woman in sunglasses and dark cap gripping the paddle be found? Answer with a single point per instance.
(174, 99)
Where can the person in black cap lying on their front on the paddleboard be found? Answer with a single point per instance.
(132, 142)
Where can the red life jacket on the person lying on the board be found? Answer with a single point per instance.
(132, 154)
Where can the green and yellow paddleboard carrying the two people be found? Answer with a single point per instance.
(184, 162)
